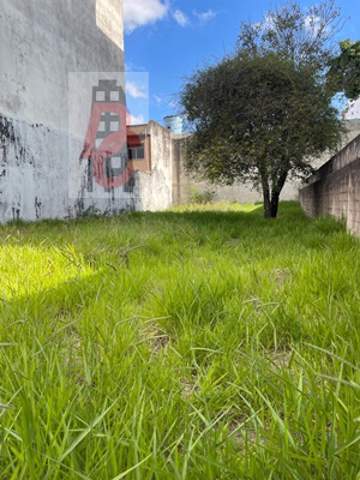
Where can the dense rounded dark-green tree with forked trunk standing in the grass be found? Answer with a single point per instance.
(260, 120)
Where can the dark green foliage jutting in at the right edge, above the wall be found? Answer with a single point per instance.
(344, 74)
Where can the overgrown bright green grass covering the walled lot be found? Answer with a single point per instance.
(202, 343)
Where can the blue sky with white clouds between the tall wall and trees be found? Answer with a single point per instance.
(166, 40)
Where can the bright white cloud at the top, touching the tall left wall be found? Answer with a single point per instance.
(138, 13)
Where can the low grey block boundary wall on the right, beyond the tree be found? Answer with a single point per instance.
(335, 188)
